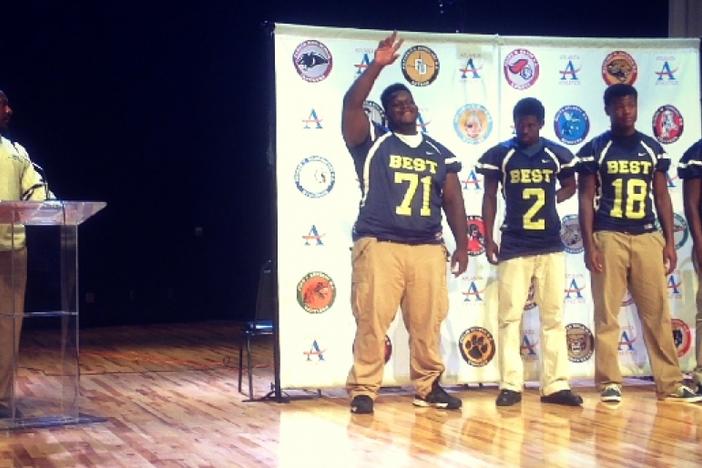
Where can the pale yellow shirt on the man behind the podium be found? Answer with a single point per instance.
(18, 181)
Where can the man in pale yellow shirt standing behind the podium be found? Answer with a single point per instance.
(19, 180)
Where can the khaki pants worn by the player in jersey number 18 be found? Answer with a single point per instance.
(636, 262)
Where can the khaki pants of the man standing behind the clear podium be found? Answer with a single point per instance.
(12, 287)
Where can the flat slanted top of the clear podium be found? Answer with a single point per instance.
(49, 212)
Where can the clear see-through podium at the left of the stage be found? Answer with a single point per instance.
(52, 396)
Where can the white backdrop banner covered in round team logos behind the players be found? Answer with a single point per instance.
(465, 87)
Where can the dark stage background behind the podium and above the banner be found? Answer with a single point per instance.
(161, 110)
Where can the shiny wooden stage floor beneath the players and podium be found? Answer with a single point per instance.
(170, 395)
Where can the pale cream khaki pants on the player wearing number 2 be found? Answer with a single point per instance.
(548, 271)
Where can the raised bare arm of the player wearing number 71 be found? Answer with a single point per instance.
(354, 123)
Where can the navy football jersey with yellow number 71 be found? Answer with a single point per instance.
(401, 186)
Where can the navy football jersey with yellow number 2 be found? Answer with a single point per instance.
(528, 184)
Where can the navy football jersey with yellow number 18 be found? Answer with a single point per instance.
(624, 167)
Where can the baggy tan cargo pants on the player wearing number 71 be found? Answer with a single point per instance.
(386, 276)
